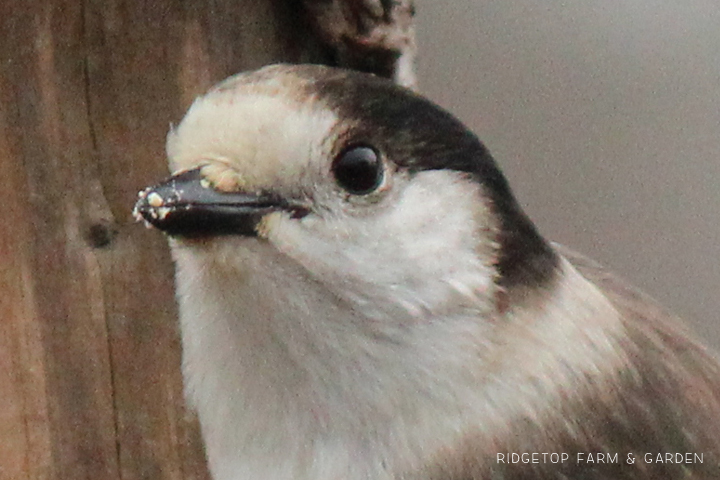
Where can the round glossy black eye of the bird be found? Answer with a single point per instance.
(358, 170)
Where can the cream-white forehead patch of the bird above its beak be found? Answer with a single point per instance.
(266, 133)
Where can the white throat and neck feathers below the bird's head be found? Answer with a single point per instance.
(292, 386)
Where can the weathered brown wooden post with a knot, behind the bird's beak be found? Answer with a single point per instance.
(90, 385)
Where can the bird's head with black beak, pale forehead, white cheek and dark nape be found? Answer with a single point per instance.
(380, 195)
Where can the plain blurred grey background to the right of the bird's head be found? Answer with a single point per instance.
(605, 116)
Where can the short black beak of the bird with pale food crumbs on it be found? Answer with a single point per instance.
(186, 205)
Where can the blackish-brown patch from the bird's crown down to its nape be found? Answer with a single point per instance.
(418, 135)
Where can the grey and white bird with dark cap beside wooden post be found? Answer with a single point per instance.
(361, 297)
